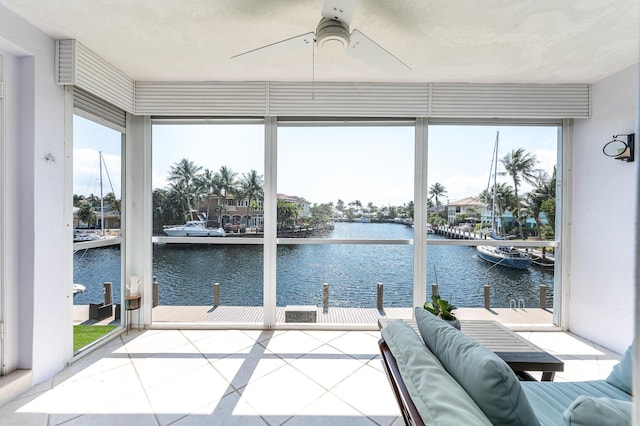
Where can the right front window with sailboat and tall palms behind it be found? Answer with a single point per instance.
(492, 183)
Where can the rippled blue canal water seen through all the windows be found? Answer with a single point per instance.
(186, 273)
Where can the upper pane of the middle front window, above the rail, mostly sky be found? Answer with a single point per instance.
(354, 175)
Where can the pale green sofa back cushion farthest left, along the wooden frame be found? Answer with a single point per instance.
(439, 399)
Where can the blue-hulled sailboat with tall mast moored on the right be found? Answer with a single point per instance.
(506, 256)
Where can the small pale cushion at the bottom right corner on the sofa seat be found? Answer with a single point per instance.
(587, 410)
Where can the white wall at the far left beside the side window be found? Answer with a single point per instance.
(39, 269)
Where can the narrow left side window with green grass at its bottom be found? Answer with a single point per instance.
(97, 271)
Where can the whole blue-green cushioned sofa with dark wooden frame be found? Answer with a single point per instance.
(442, 377)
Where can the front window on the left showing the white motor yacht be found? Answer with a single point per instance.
(208, 189)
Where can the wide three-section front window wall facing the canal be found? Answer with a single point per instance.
(344, 235)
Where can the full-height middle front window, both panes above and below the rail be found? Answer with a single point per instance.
(344, 220)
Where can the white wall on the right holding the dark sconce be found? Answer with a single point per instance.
(603, 223)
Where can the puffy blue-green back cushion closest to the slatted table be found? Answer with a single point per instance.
(485, 377)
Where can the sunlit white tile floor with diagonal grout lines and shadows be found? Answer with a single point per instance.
(244, 377)
